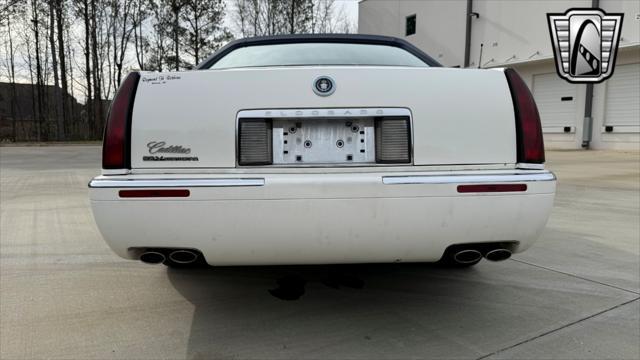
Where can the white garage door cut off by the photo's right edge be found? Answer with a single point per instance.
(623, 96)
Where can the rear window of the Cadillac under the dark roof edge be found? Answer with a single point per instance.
(301, 54)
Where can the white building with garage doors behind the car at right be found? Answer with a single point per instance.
(515, 34)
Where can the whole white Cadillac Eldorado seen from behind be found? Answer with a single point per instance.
(321, 150)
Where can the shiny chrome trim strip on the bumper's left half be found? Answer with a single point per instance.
(102, 182)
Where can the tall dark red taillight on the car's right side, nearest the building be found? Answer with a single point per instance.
(528, 127)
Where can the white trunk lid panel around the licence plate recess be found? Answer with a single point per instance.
(459, 116)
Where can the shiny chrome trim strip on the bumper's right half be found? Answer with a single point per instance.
(467, 179)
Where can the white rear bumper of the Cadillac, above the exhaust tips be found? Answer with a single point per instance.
(324, 218)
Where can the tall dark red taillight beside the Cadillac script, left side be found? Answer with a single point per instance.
(115, 145)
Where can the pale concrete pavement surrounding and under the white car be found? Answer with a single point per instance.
(63, 294)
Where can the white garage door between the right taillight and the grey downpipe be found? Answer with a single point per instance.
(556, 101)
